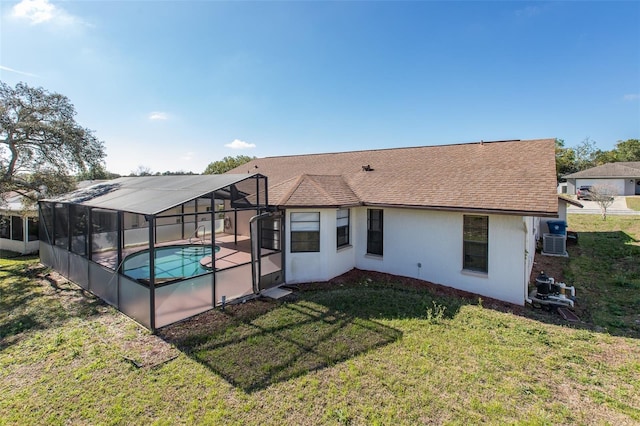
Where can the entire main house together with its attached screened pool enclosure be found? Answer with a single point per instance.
(163, 248)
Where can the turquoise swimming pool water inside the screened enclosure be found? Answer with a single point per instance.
(171, 262)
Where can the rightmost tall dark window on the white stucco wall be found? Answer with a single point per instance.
(476, 243)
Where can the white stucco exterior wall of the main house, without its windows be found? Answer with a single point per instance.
(426, 245)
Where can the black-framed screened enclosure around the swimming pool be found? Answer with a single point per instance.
(165, 248)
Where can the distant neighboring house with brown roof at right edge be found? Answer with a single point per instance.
(623, 176)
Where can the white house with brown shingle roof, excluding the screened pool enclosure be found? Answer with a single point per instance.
(464, 216)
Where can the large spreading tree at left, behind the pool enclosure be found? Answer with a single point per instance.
(41, 144)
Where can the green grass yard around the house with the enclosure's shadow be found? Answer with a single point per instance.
(367, 351)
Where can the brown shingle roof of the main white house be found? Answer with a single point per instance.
(516, 177)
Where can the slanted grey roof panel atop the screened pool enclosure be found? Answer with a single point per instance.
(150, 194)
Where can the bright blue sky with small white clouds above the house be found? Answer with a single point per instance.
(175, 85)
